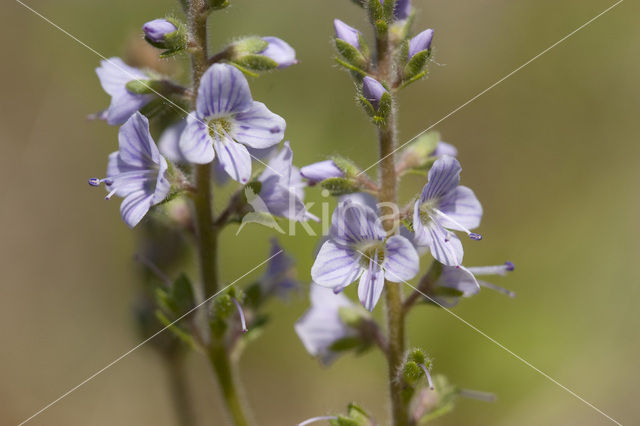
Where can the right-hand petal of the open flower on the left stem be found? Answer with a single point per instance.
(258, 127)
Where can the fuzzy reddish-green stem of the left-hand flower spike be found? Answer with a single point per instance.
(206, 233)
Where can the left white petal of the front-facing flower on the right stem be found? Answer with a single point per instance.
(335, 267)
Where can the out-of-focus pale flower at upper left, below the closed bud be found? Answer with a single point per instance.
(114, 75)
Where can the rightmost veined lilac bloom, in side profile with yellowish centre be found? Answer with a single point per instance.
(444, 205)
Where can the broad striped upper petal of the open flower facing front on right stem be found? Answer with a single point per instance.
(353, 222)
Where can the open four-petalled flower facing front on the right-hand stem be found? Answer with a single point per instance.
(358, 247)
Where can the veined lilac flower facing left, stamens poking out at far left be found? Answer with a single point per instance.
(136, 172)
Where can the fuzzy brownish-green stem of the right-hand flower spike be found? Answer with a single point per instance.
(393, 291)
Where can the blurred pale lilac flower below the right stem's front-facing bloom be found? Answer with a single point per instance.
(321, 325)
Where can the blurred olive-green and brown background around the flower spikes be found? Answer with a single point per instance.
(552, 153)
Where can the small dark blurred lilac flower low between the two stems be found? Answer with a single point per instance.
(279, 278)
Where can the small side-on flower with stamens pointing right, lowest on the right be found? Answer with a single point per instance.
(464, 280)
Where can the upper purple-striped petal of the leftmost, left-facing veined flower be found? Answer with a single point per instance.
(136, 147)
